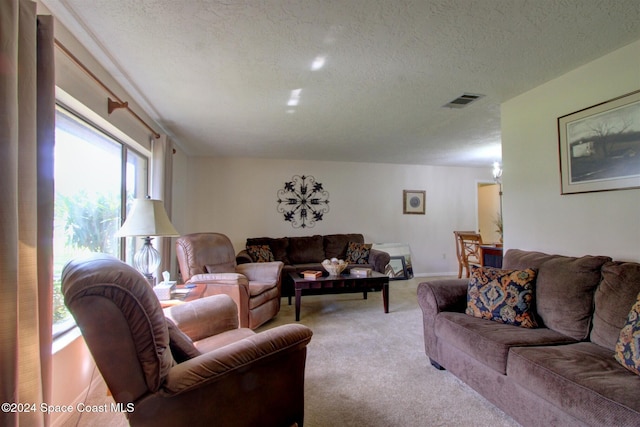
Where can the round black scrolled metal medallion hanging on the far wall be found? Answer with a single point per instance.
(303, 201)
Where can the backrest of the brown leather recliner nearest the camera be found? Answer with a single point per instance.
(122, 323)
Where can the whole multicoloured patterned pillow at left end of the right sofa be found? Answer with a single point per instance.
(505, 296)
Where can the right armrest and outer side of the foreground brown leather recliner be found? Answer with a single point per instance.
(258, 380)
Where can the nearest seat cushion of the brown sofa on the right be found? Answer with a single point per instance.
(582, 379)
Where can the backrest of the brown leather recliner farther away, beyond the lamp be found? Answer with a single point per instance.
(200, 253)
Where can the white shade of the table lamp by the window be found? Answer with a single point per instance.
(147, 218)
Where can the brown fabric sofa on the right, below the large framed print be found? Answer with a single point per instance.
(561, 373)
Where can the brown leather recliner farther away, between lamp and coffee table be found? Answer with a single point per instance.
(255, 287)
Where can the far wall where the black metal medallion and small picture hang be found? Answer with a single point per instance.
(237, 197)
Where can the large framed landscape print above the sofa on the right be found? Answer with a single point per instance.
(599, 146)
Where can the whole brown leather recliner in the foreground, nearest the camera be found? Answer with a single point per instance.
(204, 372)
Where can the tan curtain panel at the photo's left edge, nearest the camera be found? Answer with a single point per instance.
(27, 128)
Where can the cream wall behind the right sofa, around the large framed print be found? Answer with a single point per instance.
(536, 216)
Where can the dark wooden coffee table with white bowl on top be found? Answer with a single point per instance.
(344, 283)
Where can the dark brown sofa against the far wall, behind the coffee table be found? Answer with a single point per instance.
(307, 253)
